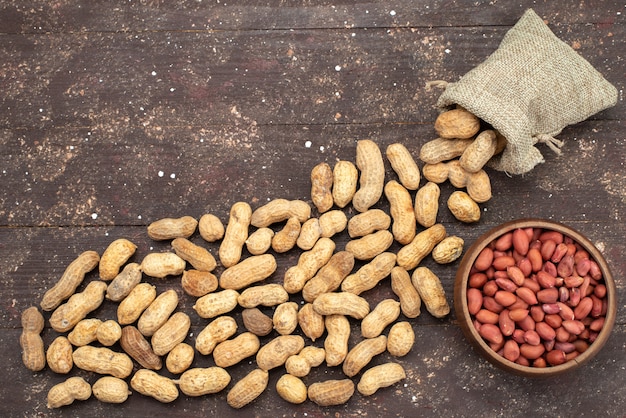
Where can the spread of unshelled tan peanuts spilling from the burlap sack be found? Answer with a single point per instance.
(150, 330)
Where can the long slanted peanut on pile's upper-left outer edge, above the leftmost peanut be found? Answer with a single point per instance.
(72, 277)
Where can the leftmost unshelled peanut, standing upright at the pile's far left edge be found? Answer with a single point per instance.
(33, 355)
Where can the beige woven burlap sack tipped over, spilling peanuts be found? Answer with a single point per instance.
(529, 89)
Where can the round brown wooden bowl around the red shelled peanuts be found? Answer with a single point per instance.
(466, 321)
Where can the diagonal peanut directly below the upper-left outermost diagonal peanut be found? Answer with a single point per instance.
(78, 306)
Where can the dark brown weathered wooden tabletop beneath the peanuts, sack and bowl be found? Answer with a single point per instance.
(115, 114)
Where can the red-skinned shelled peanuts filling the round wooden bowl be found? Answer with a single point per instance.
(536, 297)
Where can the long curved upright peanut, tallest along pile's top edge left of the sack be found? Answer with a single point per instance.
(370, 161)
